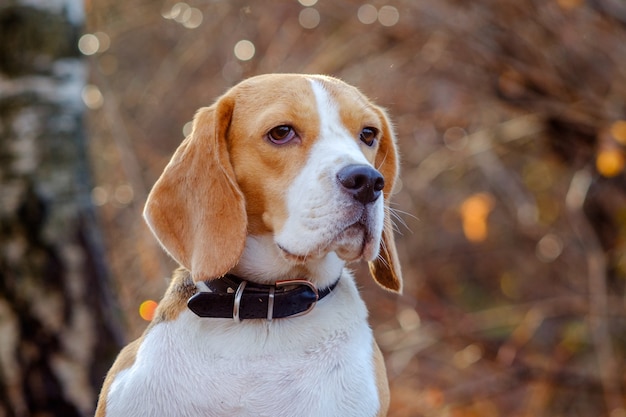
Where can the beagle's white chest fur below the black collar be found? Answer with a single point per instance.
(315, 365)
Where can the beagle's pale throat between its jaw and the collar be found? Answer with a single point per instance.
(263, 262)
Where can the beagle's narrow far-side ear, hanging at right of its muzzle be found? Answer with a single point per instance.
(385, 269)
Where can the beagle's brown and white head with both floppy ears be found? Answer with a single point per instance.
(305, 159)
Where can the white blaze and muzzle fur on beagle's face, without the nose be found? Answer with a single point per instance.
(318, 208)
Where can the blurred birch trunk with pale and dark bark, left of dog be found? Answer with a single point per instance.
(56, 329)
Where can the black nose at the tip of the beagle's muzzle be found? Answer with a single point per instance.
(362, 181)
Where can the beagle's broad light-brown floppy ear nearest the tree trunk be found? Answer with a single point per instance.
(196, 209)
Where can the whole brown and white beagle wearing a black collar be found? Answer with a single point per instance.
(281, 183)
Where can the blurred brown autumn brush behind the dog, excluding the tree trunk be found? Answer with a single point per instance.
(511, 120)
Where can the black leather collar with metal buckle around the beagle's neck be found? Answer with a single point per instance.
(233, 297)
